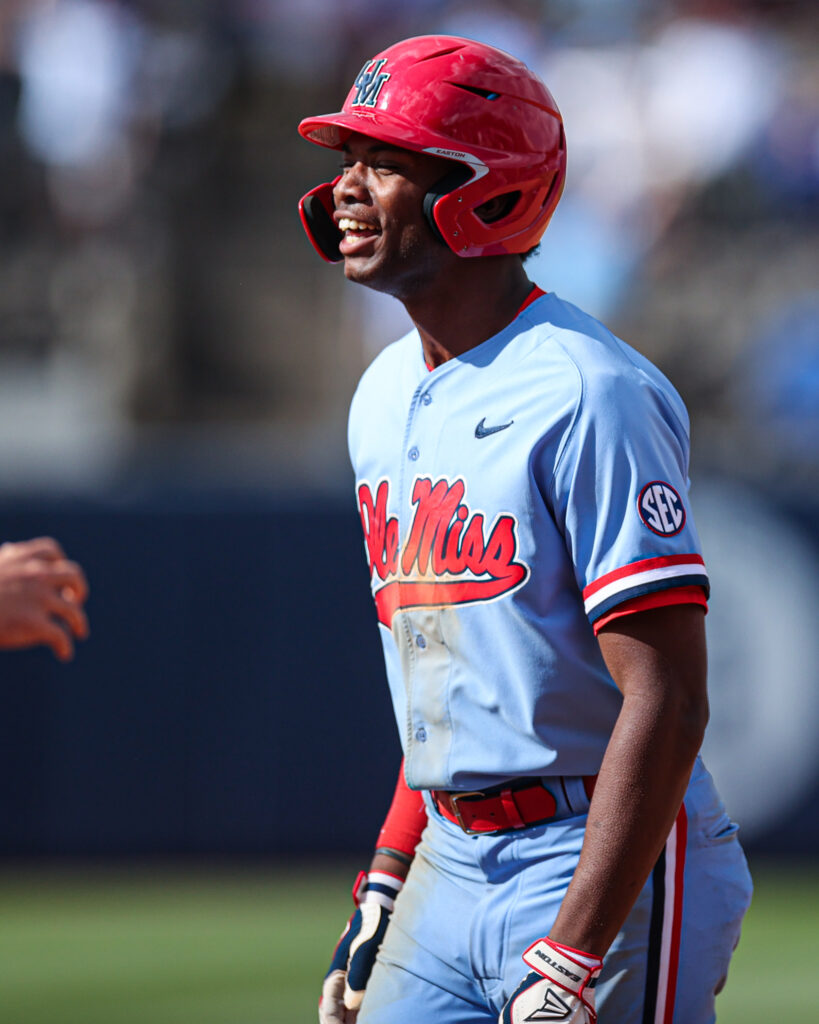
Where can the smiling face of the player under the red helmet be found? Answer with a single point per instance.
(387, 243)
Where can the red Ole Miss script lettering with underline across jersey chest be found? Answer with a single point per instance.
(449, 558)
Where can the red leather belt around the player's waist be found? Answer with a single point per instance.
(516, 804)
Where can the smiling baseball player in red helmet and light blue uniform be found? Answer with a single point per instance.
(556, 849)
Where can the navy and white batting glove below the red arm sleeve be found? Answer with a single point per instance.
(344, 985)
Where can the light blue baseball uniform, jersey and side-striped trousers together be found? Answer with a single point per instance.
(511, 499)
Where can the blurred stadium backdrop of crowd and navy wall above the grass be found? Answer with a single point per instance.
(177, 363)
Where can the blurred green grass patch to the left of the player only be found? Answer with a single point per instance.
(171, 949)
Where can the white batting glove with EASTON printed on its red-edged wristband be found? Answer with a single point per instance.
(562, 987)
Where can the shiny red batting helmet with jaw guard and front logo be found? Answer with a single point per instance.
(471, 104)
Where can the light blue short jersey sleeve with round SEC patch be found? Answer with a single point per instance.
(621, 492)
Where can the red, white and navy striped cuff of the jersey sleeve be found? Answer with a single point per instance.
(645, 577)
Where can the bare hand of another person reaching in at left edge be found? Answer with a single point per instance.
(42, 593)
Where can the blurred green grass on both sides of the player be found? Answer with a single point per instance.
(221, 948)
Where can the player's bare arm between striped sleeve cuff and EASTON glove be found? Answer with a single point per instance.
(659, 661)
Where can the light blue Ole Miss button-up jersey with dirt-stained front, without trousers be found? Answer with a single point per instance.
(511, 498)
